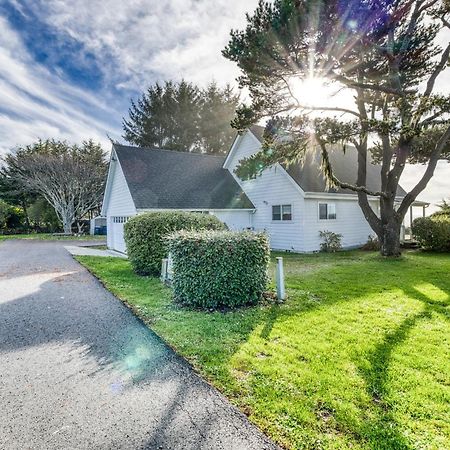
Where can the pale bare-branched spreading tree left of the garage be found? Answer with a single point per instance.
(70, 177)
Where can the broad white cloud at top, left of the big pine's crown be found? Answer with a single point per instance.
(140, 41)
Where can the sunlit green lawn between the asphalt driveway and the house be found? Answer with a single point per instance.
(357, 357)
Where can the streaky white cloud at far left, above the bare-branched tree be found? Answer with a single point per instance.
(36, 104)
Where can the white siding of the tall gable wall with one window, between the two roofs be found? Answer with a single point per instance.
(272, 187)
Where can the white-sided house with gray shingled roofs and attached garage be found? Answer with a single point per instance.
(292, 204)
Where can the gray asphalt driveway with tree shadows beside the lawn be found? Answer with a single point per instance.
(79, 371)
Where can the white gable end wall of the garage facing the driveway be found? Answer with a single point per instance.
(119, 203)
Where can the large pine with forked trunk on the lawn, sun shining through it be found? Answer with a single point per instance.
(386, 53)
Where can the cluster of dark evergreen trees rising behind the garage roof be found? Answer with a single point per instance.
(182, 116)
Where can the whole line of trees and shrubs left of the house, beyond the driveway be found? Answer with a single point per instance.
(51, 185)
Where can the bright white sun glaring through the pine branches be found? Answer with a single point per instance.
(311, 91)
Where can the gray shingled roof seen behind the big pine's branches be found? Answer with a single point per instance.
(309, 175)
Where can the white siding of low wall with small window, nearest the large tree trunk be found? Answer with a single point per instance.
(349, 222)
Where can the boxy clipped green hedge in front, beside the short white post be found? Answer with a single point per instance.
(219, 269)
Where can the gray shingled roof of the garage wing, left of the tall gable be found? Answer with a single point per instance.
(169, 179)
